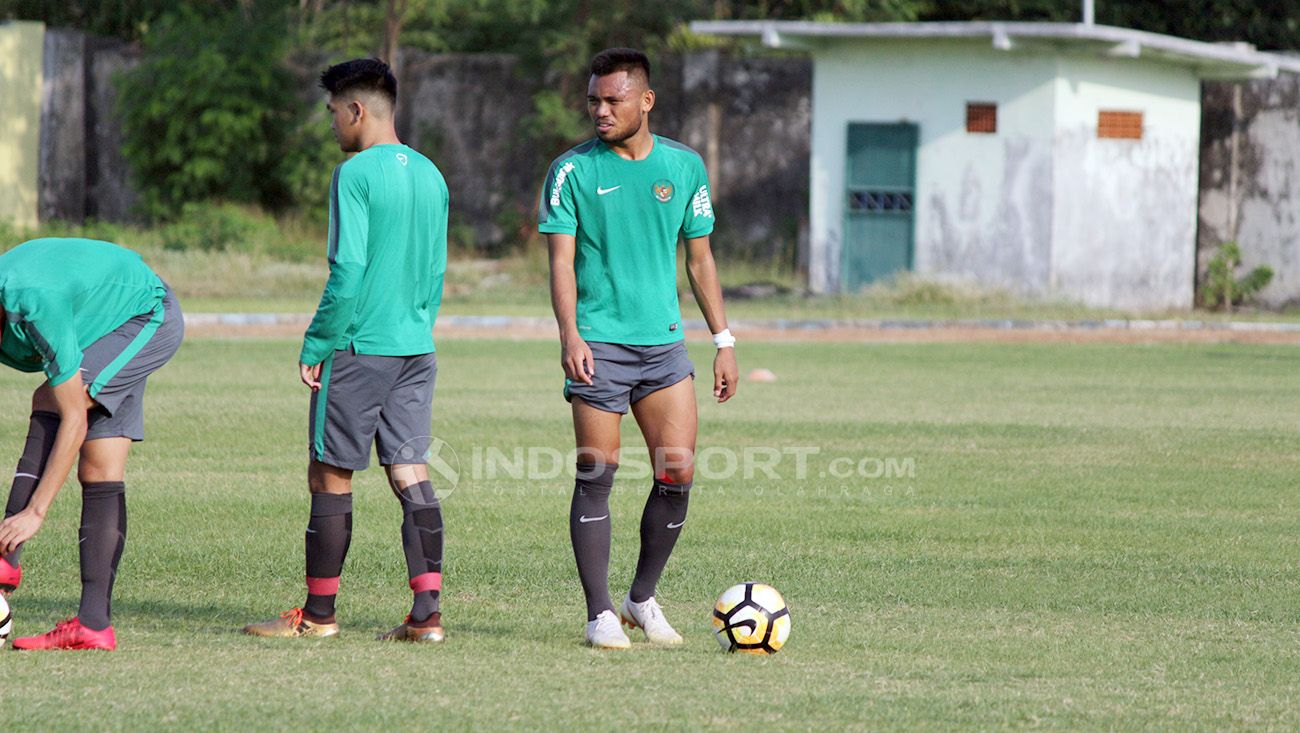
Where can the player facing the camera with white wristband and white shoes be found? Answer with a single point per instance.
(613, 210)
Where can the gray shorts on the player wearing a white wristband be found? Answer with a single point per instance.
(627, 374)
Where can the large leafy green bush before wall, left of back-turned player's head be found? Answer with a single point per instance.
(215, 120)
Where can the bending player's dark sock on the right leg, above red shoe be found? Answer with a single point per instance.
(103, 535)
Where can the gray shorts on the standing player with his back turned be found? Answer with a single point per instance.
(365, 400)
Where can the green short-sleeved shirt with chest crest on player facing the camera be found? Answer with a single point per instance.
(626, 216)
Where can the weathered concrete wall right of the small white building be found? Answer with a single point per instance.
(1251, 180)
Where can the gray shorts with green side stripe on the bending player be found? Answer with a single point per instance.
(116, 367)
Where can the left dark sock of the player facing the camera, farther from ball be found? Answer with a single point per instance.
(590, 531)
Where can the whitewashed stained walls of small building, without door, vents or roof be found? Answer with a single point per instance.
(1042, 207)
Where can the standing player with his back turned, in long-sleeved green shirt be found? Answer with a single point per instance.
(369, 355)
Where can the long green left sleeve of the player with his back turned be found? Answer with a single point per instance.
(349, 233)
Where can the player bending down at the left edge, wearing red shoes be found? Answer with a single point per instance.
(97, 322)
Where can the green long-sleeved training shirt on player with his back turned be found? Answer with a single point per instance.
(388, 255)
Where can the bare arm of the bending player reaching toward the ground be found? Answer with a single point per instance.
(72, 404)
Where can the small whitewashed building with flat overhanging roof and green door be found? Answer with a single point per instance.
(1051, 159)
